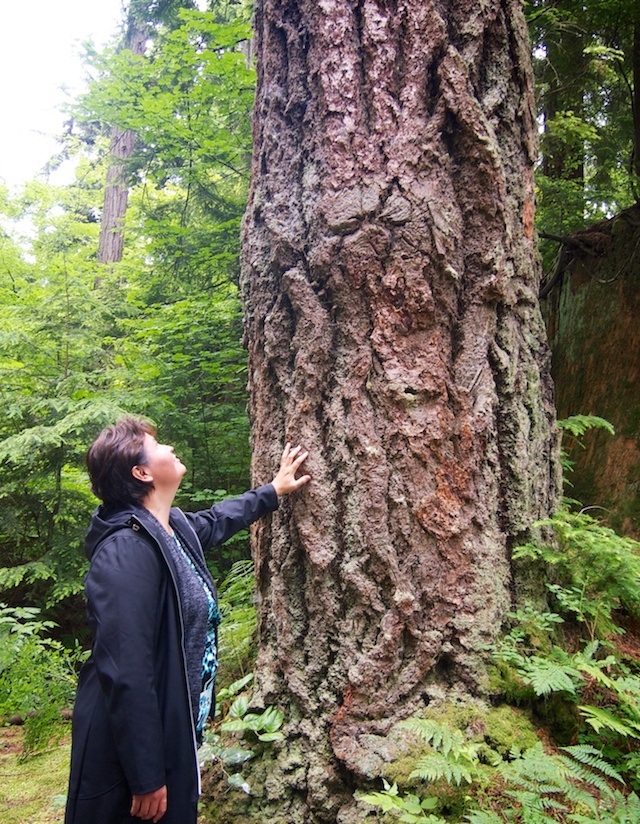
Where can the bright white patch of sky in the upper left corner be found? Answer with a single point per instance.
(40, 54)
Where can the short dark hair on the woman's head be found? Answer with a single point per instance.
(112, 456)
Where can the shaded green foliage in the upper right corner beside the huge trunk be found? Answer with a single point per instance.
(583, 56)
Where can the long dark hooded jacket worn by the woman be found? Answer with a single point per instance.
(133, 729)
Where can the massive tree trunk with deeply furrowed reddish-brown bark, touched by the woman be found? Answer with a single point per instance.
(390, 277)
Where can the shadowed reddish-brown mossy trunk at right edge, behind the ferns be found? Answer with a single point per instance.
(593, 327)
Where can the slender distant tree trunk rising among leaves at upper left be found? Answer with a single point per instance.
(116, 194)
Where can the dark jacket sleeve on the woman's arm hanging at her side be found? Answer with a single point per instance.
(123, 590)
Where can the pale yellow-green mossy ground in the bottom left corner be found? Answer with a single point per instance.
(32, 791)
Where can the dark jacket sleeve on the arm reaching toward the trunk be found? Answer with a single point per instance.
(216, 525)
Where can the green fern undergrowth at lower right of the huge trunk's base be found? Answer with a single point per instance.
(568, 668)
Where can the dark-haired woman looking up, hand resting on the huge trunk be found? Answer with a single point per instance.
(147, 689)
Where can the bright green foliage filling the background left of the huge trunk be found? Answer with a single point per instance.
(158, 334)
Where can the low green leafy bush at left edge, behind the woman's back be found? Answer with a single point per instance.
(37, 675)
